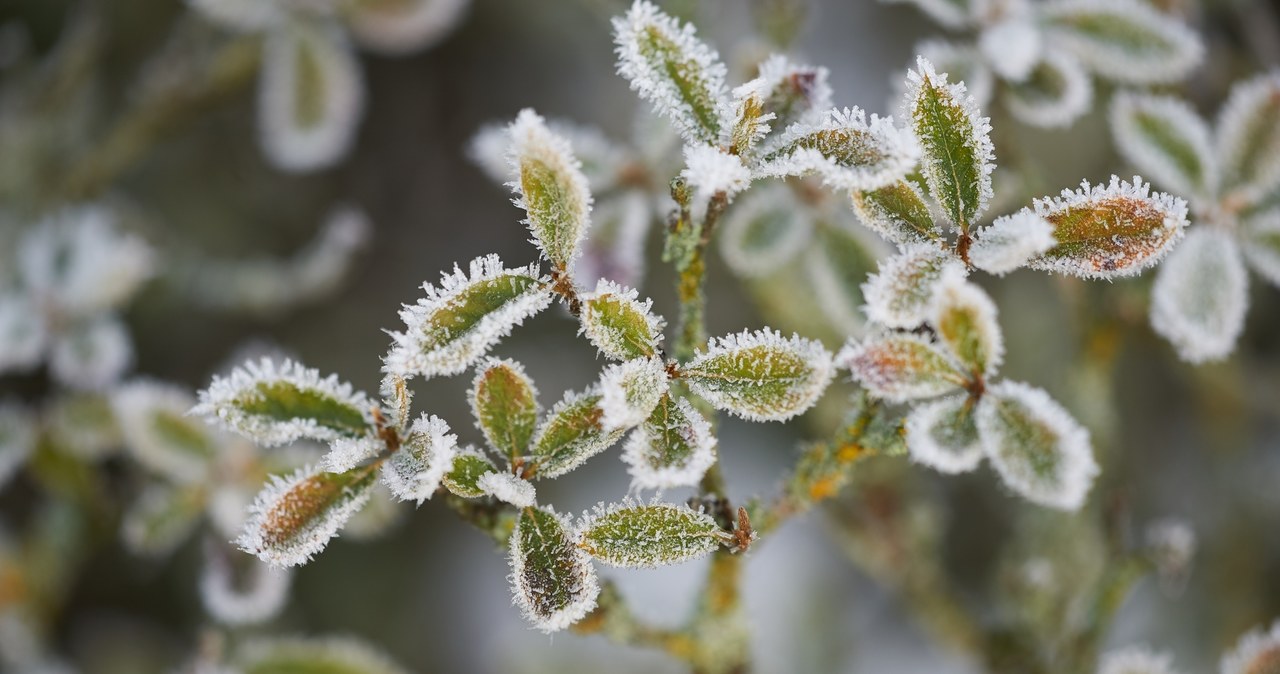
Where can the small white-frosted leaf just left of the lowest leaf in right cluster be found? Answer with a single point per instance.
(941, 434)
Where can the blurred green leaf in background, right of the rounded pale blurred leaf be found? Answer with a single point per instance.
(836, 265)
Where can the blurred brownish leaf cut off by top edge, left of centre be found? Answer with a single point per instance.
(403, 26)
